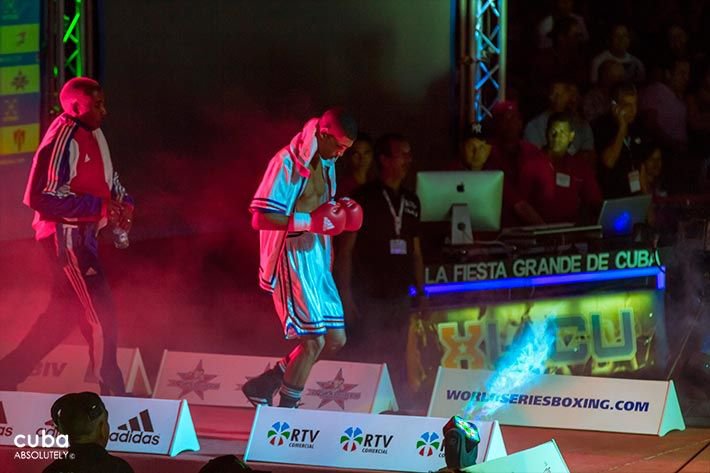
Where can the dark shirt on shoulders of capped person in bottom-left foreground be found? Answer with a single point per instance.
(89, 458)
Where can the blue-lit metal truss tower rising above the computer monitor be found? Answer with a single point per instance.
(482, 34)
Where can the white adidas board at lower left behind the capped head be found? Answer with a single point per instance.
(138, 425)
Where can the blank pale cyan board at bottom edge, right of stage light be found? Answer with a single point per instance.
(543, 458)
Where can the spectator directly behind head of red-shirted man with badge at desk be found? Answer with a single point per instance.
(563, 98)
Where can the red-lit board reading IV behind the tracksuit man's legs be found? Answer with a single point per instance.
(67, 368)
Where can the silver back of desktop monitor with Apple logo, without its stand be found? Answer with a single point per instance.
(482, 191)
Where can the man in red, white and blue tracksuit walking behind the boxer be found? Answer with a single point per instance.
(74, 192)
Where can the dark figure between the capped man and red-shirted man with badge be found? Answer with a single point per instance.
(508, 152)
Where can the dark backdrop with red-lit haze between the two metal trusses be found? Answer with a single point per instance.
(202, 94)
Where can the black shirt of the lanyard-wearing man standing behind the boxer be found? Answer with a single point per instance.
(376, 272)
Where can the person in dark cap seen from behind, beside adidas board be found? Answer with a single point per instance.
(84, 419)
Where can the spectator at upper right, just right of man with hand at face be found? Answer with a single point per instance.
(664, 109)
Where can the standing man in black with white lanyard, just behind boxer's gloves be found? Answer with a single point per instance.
(376, 266)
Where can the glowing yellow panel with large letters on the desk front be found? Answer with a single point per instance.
(596, 334)
